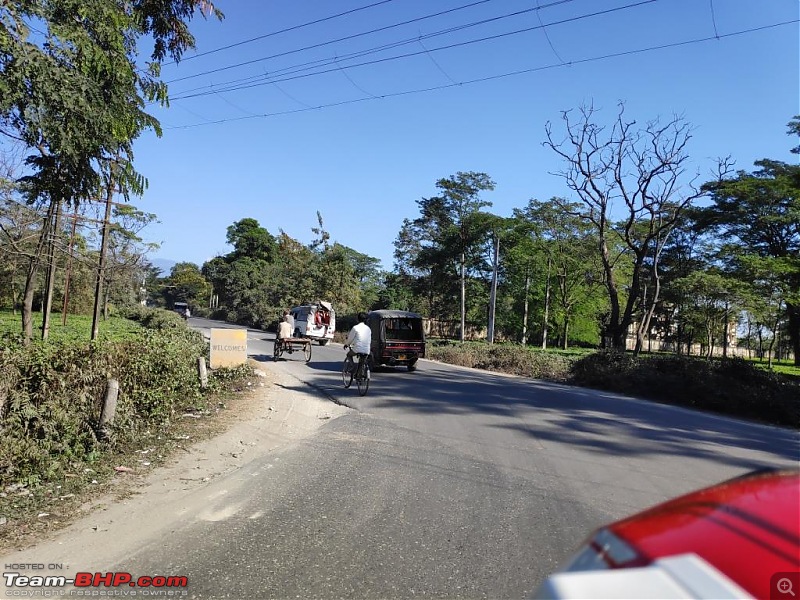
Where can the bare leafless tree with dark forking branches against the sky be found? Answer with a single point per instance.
(641, 172)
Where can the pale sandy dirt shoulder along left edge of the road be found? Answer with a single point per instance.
(194, 484)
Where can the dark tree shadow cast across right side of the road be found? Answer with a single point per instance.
(599, 421)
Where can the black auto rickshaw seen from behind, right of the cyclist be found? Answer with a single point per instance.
(397, 338)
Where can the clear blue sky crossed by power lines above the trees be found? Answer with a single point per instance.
(360, 143)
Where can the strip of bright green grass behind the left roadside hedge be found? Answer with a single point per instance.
(78, 327)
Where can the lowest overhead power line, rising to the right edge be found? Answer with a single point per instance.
(499, 76)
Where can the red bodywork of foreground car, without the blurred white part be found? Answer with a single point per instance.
(747, 529)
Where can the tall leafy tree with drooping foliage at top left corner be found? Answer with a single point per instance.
(77, 63)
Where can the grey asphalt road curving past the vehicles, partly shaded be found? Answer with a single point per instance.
(447, 483)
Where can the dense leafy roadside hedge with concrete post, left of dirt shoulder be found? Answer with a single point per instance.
(51, 395)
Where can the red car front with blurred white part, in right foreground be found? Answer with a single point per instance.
(737, 539)
